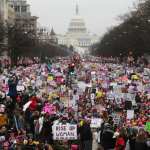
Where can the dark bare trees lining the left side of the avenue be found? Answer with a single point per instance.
(21, 42)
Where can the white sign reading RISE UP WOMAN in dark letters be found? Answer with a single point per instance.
(65, 132)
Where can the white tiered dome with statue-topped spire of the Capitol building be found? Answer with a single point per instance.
(77, 24)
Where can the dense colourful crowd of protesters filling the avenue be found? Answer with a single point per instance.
(79, 90)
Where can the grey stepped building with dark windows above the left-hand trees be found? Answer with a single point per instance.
(23, 15)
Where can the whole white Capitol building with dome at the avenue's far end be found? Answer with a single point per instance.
(77, 35)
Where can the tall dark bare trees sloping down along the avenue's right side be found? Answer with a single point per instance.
(133, 34)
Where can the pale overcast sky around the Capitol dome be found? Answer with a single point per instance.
(99, 15)
